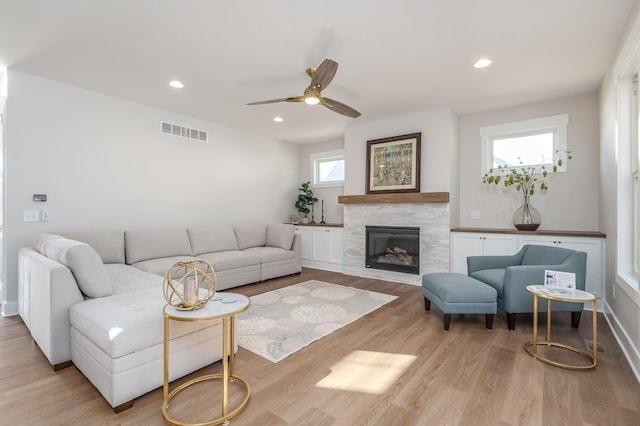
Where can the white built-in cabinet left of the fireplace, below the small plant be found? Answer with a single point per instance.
(322, 247)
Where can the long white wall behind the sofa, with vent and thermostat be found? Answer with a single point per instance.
(103, 162)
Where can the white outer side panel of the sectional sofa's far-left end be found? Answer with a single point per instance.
(47, 291)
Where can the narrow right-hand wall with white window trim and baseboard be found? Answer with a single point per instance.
(622, 300)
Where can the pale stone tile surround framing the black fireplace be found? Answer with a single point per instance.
(431, 217)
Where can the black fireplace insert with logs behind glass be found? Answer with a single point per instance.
(393, 248)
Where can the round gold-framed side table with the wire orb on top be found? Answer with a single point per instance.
(213, 310)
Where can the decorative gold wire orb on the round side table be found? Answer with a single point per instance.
(189, 285)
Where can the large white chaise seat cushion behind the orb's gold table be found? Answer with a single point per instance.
(128, 322)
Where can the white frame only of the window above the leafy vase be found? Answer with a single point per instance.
(556, 124)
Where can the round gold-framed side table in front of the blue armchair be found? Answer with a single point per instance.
(578, 296)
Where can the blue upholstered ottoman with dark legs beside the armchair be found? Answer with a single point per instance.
(459, 294)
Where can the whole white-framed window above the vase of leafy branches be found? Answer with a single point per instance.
(525, 143)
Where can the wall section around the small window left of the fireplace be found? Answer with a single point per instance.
(333, 212)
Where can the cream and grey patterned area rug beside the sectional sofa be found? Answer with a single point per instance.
(283, 321)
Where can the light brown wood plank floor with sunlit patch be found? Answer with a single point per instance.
(466, 376)
